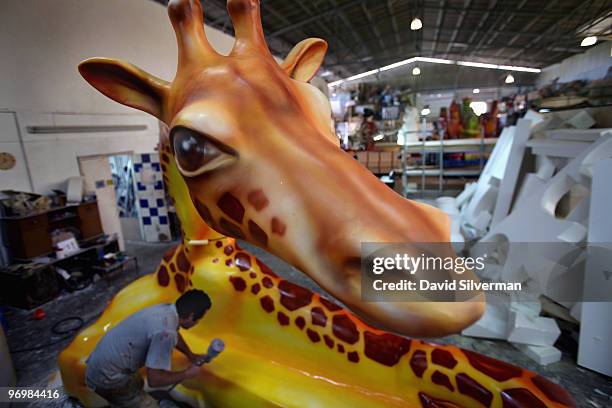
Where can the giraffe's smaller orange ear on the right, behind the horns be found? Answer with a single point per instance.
(305, 58)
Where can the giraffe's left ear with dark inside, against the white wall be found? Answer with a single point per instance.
(126, 84)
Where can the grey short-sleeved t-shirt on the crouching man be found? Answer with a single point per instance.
(144, 339)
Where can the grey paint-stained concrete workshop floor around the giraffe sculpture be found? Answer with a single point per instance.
(35, 348)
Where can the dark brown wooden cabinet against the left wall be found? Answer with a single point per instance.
(30, 236)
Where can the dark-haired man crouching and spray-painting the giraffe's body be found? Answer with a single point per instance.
(146, 339)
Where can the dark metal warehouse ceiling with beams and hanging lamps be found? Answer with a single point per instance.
(366, 34)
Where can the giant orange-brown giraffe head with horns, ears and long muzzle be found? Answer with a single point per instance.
(253, 142)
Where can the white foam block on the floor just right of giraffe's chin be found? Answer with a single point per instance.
(539, 331)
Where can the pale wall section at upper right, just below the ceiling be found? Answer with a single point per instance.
(590, 65)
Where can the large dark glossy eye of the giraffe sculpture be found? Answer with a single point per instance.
(195, 153)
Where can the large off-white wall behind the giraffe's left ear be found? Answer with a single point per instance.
(41, 44)
